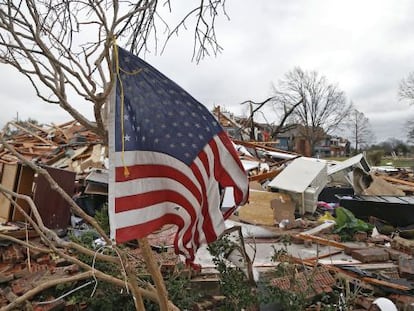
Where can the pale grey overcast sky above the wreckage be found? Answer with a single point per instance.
(366, 47)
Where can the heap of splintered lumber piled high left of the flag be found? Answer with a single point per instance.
(68, 146)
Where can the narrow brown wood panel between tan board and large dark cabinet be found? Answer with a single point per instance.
(24, 186)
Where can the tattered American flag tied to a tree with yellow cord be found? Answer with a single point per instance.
(170, 159)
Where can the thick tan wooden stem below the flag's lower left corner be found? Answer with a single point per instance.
(155, 272)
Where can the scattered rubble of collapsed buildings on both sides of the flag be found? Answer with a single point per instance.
(290, 195)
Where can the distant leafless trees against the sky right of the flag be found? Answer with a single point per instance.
(309, 99)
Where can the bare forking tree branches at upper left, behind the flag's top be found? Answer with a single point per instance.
(64, 48)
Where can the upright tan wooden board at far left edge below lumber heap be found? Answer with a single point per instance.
(8, 181)
